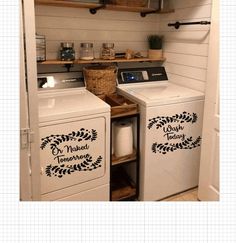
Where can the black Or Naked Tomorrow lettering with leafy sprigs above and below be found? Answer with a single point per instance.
(64, 153)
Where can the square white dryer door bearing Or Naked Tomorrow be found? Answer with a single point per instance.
(72, 153)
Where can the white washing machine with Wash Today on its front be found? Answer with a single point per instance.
(170, 131)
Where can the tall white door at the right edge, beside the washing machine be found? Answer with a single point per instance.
(206, 191)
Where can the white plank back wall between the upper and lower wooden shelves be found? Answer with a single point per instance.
(126, 30)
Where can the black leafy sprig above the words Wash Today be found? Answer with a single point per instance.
(163, 120)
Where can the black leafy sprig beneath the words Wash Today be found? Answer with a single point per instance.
(171, 147)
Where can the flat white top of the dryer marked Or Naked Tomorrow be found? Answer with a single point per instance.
(69, 104)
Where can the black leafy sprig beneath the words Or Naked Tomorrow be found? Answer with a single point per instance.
(61, 170)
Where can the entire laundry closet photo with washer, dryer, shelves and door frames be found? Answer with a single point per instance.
(119, 100)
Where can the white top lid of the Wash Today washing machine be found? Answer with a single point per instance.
(162, 93)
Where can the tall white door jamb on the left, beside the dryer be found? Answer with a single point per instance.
(28, 12)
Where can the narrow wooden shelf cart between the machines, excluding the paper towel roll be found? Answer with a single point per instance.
(124, 179)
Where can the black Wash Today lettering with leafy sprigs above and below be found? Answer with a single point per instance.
(173, 129)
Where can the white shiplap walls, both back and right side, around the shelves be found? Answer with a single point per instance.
(186, 49)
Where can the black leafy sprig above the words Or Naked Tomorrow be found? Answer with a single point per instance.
(55, 140)
